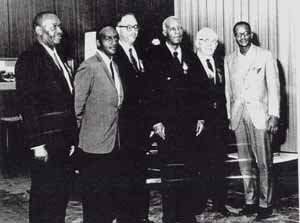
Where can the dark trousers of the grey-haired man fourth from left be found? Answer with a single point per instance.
(180, 182)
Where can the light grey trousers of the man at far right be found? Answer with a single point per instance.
(255, 155)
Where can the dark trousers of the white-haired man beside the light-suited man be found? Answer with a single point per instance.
(212, 154)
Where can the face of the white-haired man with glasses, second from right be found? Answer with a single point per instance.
(206, 45)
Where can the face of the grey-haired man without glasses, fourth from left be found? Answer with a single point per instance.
(174, 32)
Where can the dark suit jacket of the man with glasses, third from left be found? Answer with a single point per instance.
(132, 120)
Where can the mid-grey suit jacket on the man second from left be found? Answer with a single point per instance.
(96, 106)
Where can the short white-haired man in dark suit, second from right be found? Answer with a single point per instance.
(212, 141)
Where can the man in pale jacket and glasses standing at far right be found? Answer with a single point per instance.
(253, 98)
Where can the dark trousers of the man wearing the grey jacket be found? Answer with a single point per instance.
(98, 182)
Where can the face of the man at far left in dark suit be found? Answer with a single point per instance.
(50, 31)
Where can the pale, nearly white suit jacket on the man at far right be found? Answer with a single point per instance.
(254, 86)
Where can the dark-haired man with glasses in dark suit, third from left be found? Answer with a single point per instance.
(134, 202)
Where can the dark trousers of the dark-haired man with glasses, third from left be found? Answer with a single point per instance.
(133, 195)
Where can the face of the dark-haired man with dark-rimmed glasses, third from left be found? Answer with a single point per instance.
(128, 29)
